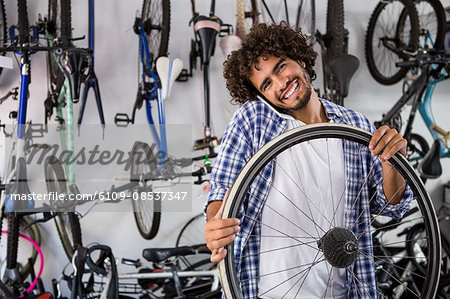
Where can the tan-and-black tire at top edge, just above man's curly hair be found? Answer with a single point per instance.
(247, 15)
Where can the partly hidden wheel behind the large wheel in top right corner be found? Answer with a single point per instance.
(432, 23)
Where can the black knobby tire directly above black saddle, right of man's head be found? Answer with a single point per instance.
(336, 33)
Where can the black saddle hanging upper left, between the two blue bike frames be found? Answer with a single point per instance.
(75, 62)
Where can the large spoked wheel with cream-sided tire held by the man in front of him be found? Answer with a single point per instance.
(237, 206)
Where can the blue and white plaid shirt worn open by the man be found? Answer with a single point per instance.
(255, 124)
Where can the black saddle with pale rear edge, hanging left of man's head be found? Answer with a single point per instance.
(207, 29)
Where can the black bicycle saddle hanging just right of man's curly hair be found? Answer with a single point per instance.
(343, 67)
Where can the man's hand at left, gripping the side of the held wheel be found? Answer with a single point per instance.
(219, 232)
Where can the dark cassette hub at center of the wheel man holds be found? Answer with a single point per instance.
(339, 246)
